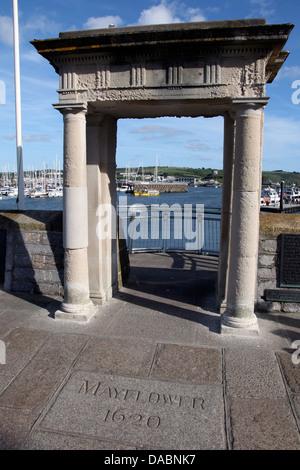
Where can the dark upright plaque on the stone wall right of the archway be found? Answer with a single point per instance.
(290, 261)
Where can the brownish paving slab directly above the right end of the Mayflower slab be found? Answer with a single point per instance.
(201, 365)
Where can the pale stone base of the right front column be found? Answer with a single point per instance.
(239, 326)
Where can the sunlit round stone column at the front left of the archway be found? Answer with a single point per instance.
(76, 305)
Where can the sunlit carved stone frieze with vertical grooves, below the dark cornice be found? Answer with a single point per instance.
(238, 72)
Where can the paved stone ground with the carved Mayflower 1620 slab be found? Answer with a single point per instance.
(150, 371)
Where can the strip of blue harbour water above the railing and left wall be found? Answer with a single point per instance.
(210, 197)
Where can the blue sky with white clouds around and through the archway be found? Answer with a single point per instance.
(175, 142)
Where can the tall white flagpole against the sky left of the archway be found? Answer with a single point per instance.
(20, 200)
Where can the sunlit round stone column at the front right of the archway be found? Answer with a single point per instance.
(239, 316)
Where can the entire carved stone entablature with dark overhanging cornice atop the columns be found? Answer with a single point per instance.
(192, 61)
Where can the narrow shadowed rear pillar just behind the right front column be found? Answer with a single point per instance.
(228, 166)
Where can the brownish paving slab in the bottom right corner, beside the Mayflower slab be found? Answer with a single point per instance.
(263, 424)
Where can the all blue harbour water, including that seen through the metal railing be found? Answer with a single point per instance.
(209, 197)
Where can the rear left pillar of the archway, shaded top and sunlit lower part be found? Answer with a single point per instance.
(102, 206)
